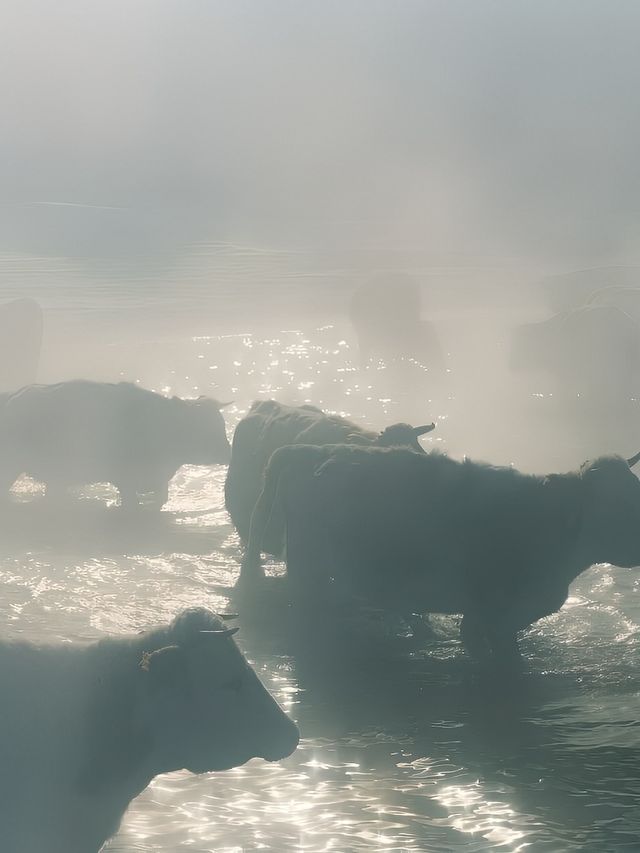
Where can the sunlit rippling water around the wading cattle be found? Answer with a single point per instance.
(415, 752)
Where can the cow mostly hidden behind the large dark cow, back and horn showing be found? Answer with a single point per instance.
(270, 425)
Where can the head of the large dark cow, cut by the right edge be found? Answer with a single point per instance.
(611, 511)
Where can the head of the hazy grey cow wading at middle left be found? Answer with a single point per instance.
(204, 436)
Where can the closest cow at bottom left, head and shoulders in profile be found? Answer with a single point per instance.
(86, 727)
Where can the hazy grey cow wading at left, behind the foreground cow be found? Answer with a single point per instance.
(81, 432)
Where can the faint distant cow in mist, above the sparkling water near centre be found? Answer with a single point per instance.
(385, 314)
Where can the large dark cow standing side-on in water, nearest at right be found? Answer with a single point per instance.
(416, 533)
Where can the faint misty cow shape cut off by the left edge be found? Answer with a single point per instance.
(20, 343)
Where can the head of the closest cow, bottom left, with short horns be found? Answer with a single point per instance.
(201, 705)
